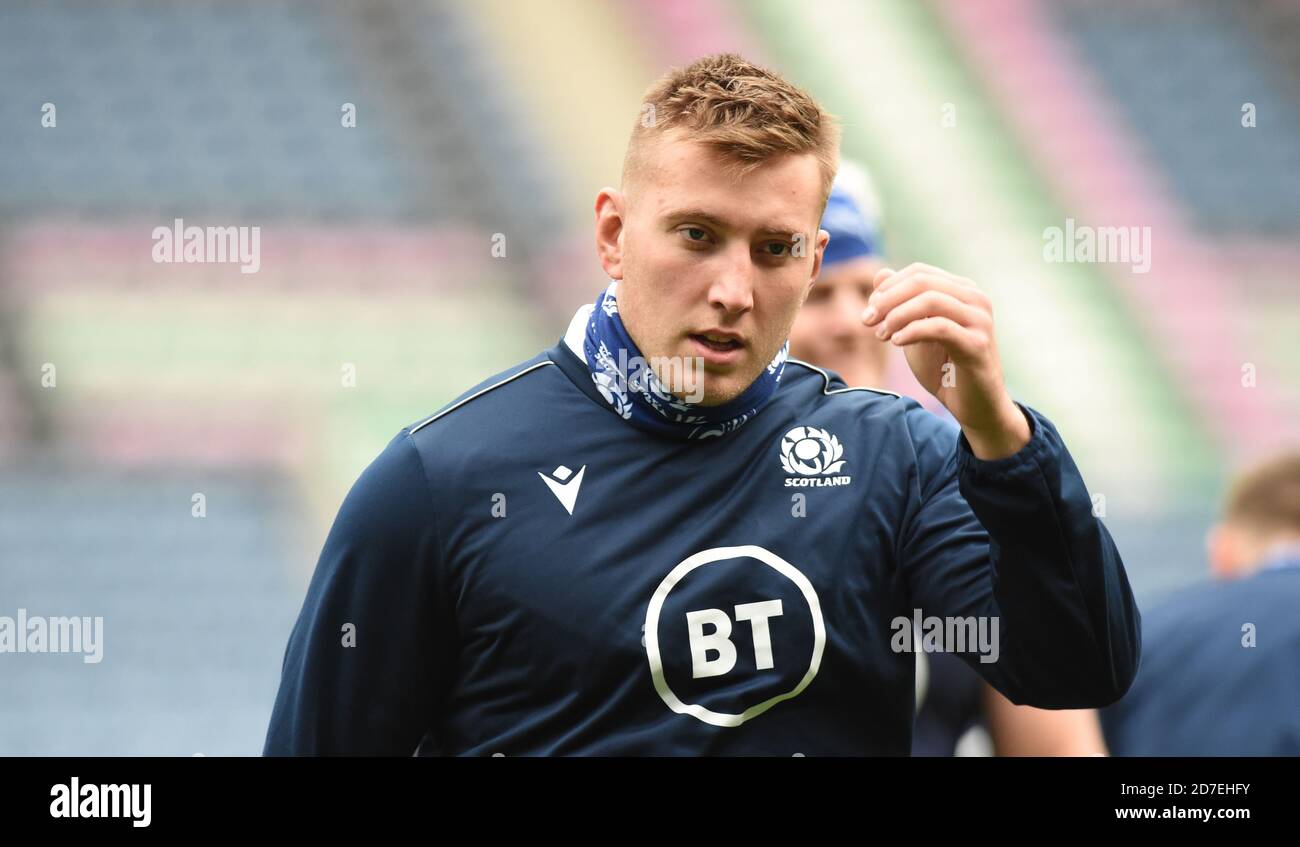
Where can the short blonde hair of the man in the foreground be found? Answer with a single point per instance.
(747, 114)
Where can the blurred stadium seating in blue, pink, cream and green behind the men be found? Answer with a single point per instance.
(176, 438)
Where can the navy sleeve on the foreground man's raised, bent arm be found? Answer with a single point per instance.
(1016, 538)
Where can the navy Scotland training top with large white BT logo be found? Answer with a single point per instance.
(527, 574)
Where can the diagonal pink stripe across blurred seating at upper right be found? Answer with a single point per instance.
(1190, 302)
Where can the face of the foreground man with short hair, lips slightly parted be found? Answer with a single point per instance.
(712, 266)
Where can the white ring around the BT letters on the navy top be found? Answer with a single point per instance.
(675, 577)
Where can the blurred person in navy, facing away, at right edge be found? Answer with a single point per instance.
(1221, 666)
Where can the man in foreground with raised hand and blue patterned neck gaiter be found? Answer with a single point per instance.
(583, 555)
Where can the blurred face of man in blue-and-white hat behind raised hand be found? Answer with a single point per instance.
(829, 332)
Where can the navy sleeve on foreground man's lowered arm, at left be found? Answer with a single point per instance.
(374, 645)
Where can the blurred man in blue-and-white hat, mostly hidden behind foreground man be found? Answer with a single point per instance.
(956, 711)
